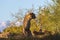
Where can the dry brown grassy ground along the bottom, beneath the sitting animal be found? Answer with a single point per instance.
(37, 37)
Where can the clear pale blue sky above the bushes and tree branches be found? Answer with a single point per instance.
(12, 6)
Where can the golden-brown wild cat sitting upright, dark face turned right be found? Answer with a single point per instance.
(26, 23)
